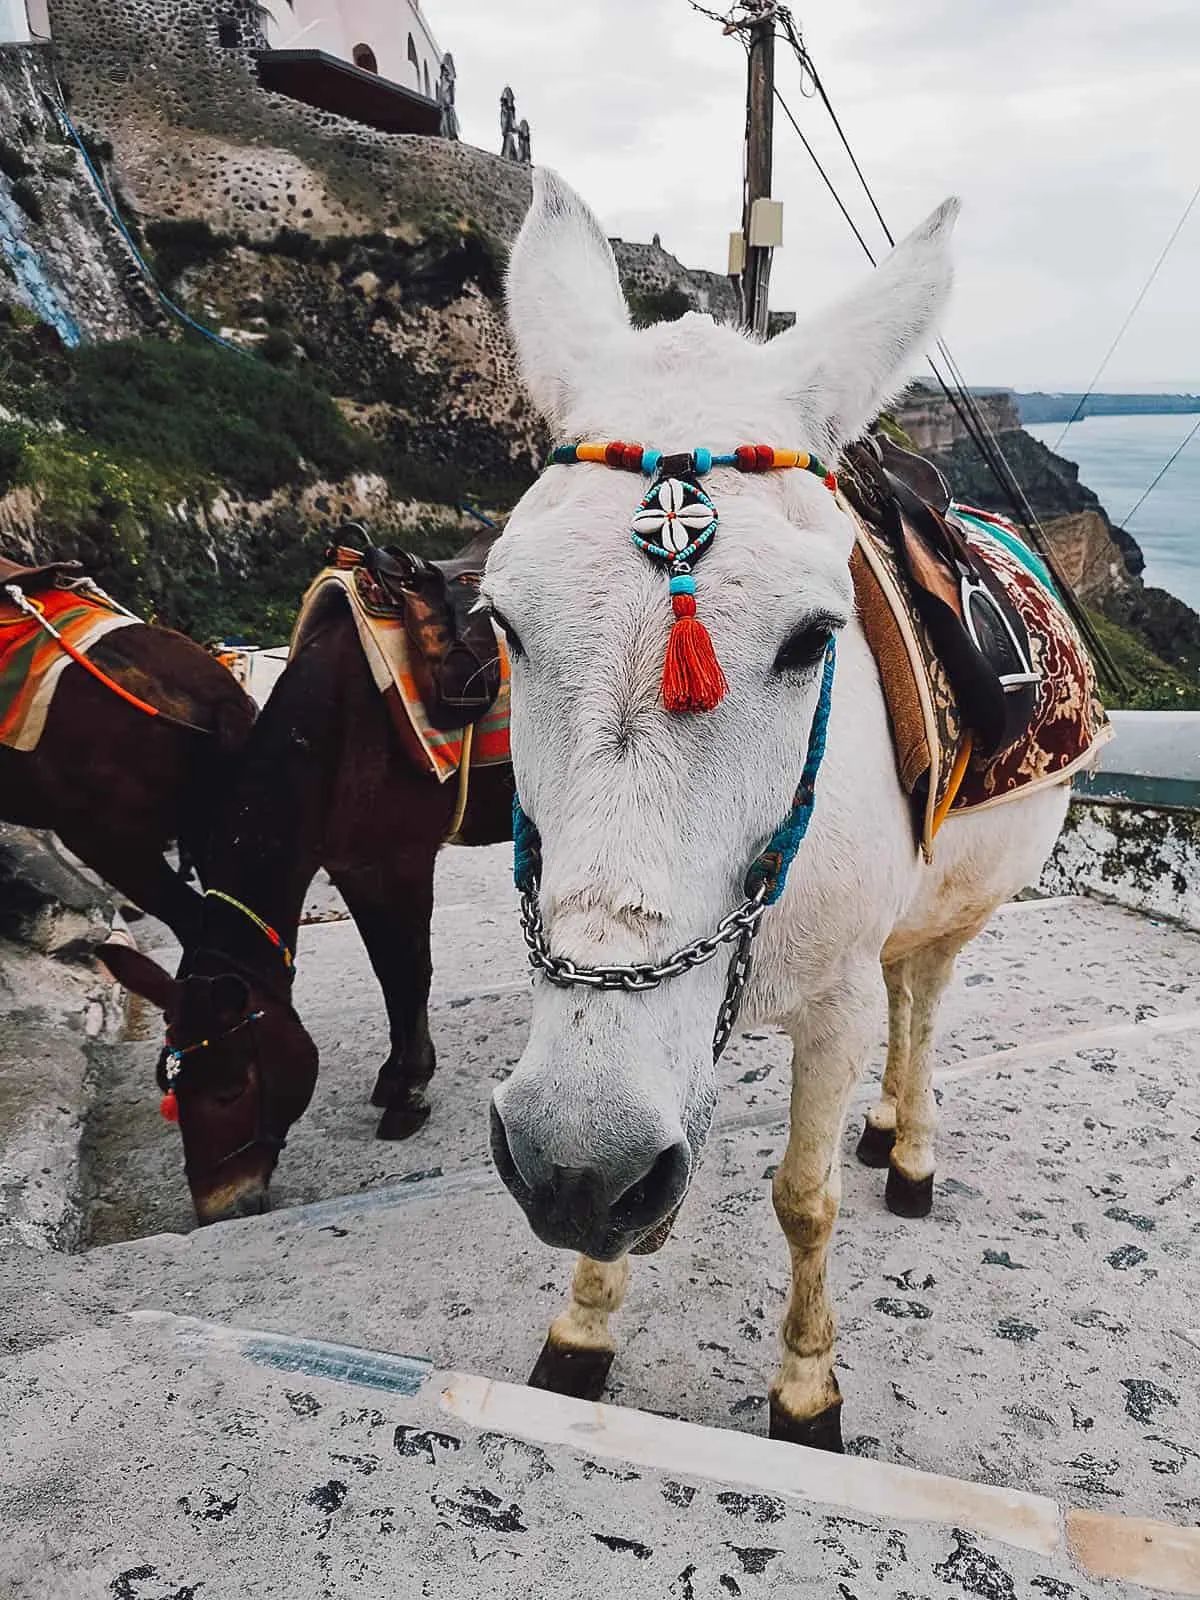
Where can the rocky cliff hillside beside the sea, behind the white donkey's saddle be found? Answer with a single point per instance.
(1154, 638)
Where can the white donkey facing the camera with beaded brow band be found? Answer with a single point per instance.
(649, 822)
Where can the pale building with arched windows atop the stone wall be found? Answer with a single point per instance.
(390, 38)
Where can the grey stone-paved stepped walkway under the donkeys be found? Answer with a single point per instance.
(1036, 1337)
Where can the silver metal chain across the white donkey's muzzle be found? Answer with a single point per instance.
(738, 929)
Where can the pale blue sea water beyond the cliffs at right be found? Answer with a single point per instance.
(1118, 458)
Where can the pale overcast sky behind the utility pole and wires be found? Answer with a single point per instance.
(1071, 129)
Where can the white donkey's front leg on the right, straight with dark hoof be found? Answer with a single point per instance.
(807, 1191)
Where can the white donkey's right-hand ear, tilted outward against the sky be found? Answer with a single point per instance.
(842, 369)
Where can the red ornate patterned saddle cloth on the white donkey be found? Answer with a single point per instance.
(934, 746)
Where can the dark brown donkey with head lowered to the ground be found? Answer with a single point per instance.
(326, 782)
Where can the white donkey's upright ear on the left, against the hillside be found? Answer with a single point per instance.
(566, 302)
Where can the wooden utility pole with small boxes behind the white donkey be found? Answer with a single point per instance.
(762, 218)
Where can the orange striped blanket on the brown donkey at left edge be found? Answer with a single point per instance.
(33, 663)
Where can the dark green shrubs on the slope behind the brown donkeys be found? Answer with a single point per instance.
(151, 460)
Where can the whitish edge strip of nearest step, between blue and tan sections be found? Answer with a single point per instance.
(876, 1489)
